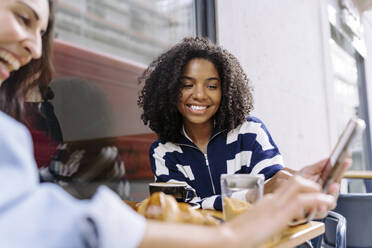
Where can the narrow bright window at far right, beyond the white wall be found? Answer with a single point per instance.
(350, 98)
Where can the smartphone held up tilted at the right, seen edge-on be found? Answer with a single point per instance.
(340, 152)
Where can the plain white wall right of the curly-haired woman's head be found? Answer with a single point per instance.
(282, 46)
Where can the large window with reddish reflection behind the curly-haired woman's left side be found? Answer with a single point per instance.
(102, 47)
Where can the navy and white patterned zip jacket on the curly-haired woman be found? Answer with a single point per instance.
(247, 149)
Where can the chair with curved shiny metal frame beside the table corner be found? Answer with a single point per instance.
(335, 232)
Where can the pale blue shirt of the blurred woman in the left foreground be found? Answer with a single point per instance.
(46, 216)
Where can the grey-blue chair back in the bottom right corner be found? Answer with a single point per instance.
(356, 208)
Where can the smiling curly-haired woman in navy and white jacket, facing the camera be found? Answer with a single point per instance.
(197, 98)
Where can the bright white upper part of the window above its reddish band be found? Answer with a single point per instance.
(138, 30)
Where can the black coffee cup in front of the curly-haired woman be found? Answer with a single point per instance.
(178, 189)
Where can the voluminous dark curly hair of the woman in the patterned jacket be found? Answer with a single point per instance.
(160, 94)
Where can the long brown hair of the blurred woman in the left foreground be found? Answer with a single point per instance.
(14, 89)
